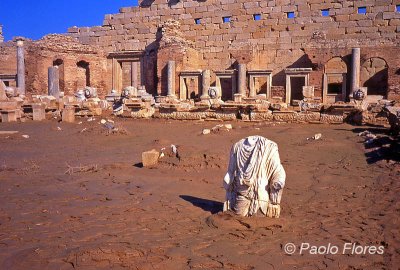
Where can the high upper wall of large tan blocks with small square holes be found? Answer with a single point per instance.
(135, 28)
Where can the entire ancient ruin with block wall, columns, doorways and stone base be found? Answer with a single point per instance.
(248, 60)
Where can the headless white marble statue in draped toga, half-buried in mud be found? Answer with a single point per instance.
(255, 178)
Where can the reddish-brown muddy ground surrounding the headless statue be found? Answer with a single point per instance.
(117, 215)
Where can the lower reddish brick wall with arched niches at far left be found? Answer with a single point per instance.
(62, 51)
